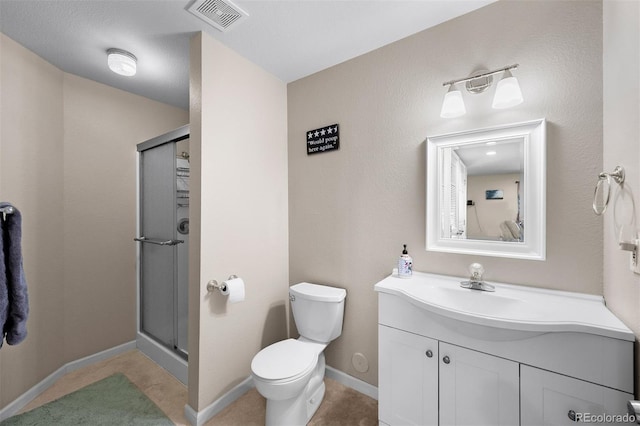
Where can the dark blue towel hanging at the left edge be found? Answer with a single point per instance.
(14, 302)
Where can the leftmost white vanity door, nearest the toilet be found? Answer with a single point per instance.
(408, 378)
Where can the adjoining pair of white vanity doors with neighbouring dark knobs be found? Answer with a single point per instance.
(425, 382)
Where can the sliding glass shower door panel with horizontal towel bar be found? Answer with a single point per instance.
(158, 248)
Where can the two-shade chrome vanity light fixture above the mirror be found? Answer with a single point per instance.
(507, 94)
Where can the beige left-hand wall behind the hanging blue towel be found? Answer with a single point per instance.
(31, 177)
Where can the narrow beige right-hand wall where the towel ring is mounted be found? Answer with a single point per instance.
(622, 147)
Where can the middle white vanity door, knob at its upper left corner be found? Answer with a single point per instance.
(477, 389)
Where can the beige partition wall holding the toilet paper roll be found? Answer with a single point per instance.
(239, 131)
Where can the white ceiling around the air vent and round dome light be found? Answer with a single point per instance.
(289, 38)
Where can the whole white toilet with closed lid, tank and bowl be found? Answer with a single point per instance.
(290, 373)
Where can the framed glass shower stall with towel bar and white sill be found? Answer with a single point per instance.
(163, 241)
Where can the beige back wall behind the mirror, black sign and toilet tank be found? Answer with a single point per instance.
(351, 210)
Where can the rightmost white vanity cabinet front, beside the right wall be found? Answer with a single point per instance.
(552, 399)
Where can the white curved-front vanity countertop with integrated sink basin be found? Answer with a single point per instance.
(510, 306)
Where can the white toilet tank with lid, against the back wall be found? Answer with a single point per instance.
(318, 310)
